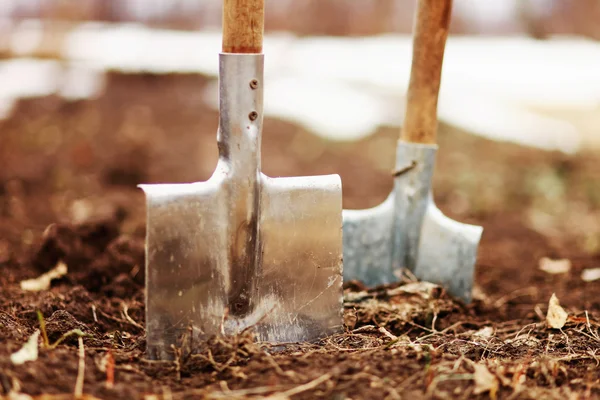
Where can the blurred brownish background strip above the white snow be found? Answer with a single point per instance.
(361, 17)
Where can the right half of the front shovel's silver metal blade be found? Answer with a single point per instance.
(300, 285)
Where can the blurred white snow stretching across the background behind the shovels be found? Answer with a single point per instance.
(342, 88)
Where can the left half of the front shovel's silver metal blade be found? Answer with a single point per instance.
(184, 285)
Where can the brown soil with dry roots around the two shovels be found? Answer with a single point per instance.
(68, 175)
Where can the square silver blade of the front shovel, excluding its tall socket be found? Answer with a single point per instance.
(294, 287)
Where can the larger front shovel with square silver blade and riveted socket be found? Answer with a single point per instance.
(242, 250)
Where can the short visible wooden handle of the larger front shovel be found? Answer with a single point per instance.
(243, 26)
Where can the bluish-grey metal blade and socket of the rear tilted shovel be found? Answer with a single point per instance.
(408, 231)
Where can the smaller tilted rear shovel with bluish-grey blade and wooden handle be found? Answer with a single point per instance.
(407, 230)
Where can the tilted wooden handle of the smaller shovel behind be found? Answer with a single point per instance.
(430, 32)
